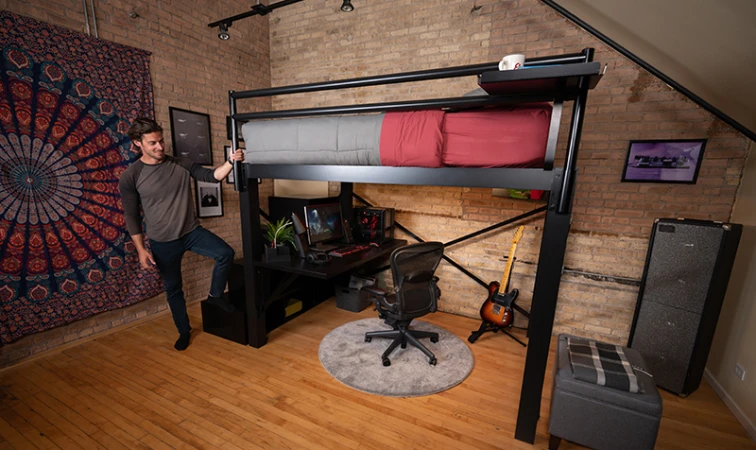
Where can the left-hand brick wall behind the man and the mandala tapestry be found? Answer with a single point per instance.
(191, 69)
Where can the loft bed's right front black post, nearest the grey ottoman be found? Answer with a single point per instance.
(556, 229)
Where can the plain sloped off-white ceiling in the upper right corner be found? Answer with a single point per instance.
(708, 46)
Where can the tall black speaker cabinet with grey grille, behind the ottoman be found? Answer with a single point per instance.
(687, 269)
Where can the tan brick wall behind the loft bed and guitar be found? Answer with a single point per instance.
(611, 221)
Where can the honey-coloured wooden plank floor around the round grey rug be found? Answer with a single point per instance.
(132, 390)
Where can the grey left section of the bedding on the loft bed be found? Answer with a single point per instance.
(339, 140)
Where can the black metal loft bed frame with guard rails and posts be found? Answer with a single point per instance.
(557, 79)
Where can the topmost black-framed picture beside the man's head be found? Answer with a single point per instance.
(190, 134)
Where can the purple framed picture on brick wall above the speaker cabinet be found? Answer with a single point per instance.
(664, 161)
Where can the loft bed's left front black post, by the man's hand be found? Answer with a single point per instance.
(249, 210)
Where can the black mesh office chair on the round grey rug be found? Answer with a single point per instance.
(415, 294)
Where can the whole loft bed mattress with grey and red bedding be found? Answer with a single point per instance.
(500, 137)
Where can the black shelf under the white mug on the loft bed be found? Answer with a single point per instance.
(553, 81)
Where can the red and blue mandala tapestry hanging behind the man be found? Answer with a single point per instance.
(66, 104)
